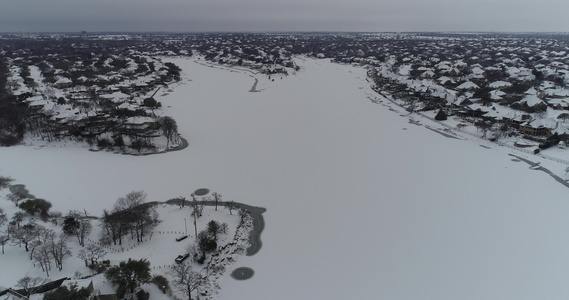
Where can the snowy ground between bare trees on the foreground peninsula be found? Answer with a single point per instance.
(160, 248)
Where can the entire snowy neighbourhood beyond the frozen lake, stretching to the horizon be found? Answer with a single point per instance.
(516, 81)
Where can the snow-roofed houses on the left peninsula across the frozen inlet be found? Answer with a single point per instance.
(90, 96)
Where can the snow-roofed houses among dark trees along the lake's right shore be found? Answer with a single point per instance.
(515, 84)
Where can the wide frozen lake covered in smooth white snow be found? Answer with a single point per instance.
(361, 204)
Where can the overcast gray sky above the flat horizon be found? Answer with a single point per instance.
(290, 15)
